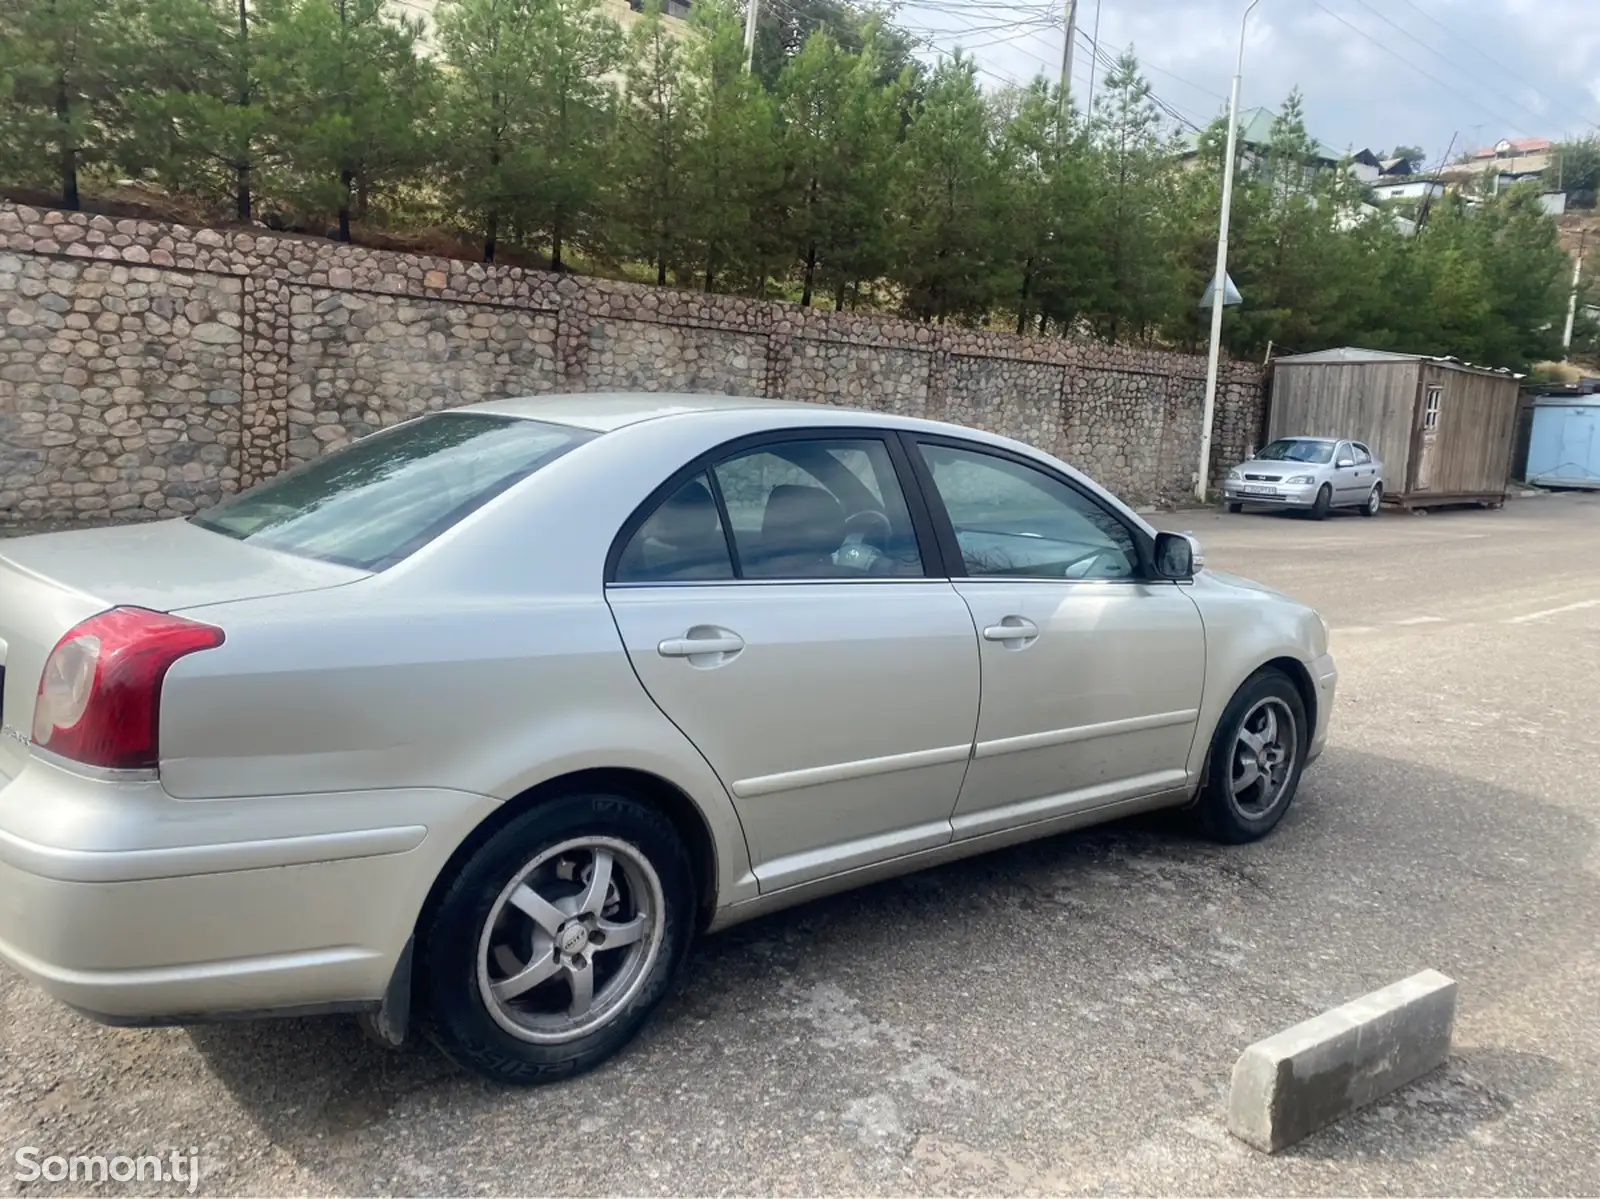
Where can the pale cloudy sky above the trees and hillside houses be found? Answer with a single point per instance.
(1374, 73)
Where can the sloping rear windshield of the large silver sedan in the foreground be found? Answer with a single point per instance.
(388, 495)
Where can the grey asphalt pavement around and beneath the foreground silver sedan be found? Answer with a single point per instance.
(1058, 1017)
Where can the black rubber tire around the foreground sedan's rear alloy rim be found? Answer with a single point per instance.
(454, 1011)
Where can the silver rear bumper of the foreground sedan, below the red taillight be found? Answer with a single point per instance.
(218, 920)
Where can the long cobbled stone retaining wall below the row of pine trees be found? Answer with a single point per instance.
(150, 369)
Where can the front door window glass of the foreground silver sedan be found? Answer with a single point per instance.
(1014, 519)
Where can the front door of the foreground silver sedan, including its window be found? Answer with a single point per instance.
(1092, 673)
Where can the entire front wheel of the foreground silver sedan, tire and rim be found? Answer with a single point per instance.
(1257, 760)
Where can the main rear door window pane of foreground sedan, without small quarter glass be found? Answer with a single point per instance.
(818, 510)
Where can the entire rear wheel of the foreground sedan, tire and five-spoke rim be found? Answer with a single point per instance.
(558, 939)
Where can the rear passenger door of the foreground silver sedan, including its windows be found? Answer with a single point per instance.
(775, 604)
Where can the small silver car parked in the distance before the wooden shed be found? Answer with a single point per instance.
(1316, 475)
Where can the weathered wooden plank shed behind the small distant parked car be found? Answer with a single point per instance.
(1442, 430)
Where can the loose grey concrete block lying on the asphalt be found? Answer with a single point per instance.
(1313, 1075)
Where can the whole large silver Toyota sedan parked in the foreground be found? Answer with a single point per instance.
(476, 723)
